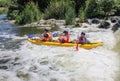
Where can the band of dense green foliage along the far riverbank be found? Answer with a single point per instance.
(62, 9)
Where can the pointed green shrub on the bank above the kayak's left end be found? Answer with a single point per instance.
(30, 14)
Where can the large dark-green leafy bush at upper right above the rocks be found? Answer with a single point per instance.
(98, 8)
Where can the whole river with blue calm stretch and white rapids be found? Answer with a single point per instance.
(22, 61)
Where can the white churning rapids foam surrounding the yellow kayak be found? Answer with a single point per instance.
(51, 63)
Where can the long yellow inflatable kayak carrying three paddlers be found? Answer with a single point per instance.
(86, 46)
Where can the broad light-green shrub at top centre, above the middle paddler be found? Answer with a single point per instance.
(57, 9)
